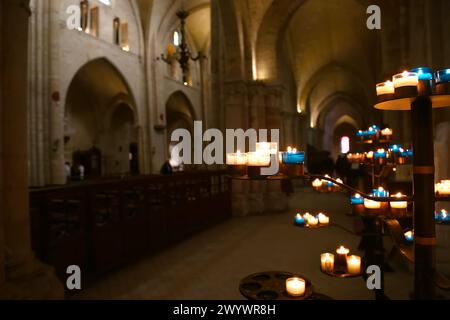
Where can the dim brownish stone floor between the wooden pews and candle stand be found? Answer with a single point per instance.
(211, 264)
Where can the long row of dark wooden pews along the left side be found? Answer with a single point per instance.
(103, 225)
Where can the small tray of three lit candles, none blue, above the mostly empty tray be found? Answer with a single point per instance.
(341, 265)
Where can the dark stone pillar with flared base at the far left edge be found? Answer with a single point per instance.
(24, 276)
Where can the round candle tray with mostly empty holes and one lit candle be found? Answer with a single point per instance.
(271, 285)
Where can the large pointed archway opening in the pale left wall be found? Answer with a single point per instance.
(101, 131)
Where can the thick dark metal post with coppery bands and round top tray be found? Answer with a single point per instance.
(421, 107)
